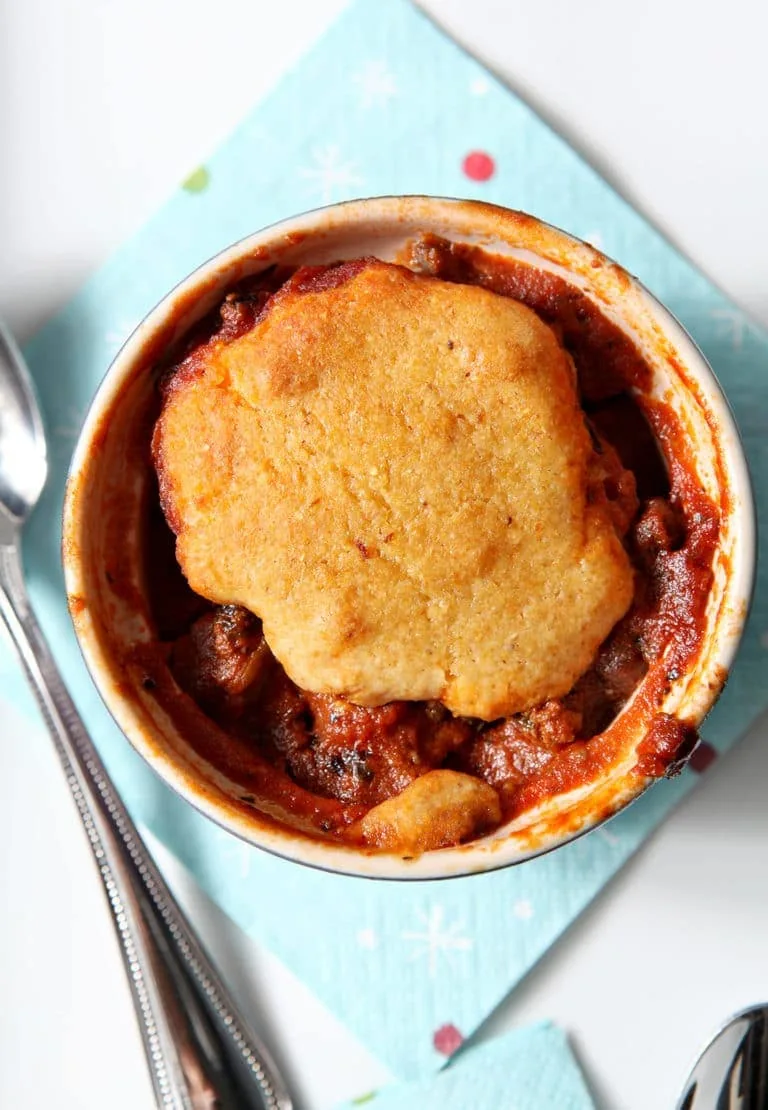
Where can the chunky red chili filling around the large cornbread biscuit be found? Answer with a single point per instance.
(329, 762)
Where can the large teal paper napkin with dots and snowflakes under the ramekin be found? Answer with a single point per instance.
(385, 104)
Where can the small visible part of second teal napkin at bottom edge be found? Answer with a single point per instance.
(530, 1069)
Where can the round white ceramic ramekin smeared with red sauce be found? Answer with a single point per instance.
(109, 622)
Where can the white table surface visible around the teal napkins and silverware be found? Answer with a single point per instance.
(105, 106)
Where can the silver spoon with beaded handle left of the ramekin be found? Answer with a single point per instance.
(200, 1052)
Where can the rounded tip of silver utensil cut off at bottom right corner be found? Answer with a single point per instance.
(732, 1074)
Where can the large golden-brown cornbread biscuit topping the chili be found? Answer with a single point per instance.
(395, 473)
